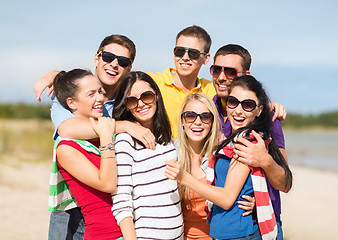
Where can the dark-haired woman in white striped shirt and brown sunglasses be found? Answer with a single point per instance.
(146, 204)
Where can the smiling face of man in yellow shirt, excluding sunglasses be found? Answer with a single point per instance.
(184, 65)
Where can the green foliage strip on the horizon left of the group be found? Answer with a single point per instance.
(24, 111)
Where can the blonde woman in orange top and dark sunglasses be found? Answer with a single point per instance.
(198, 136)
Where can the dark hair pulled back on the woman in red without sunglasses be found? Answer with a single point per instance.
(66, 84)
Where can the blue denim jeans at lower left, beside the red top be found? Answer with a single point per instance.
(66, 225)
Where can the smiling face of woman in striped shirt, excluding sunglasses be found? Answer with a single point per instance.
(143, 113)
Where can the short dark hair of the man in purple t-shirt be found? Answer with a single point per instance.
(237, 50)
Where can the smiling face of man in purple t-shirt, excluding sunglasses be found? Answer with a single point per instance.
(221, 83)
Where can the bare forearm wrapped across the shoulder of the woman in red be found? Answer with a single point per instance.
(77, 128)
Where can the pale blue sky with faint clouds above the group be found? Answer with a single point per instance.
(294, 44)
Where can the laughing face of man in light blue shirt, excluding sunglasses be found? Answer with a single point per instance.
(110, 73)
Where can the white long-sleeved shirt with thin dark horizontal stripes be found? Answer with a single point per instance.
(143, 191)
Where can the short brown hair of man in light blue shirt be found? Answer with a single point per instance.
(120, 40)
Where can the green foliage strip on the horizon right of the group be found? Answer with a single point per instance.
(326, 120)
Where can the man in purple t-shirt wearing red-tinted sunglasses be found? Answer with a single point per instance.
(230, 61)
